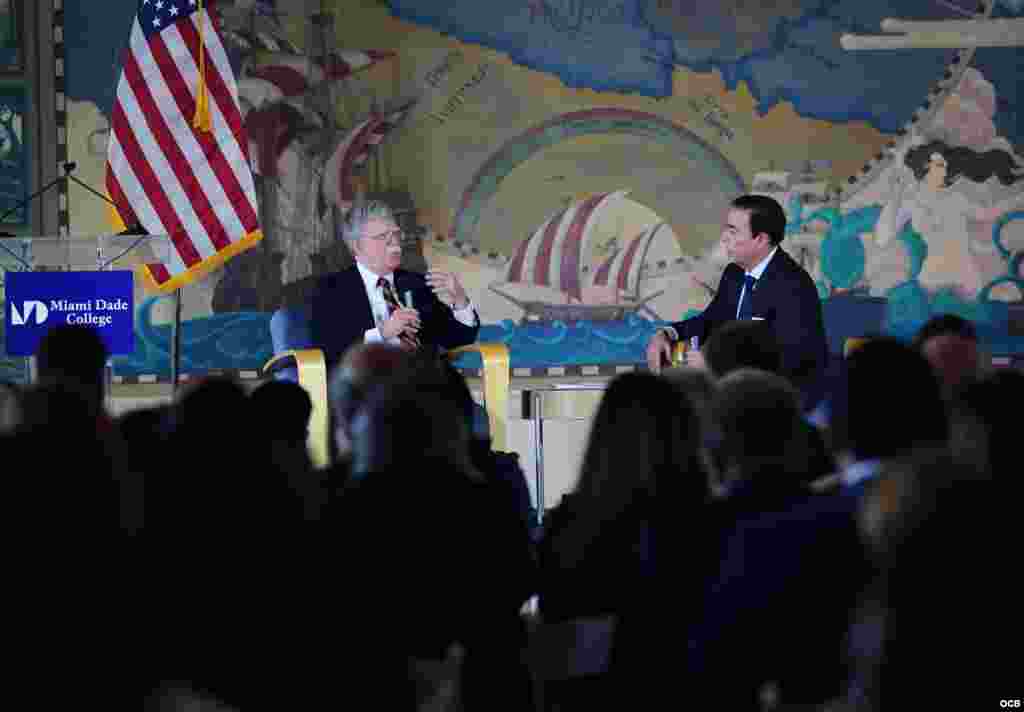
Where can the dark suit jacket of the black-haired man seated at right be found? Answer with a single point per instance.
(786, 298)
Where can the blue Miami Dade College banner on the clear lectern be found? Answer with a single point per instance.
(37, 302)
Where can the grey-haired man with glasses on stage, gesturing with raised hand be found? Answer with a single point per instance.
(374, 301)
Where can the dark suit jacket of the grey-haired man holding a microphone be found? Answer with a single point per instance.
(340, 314)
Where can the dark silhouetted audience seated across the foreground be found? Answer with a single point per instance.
(190, 556)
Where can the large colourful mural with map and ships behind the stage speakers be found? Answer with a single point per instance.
(573, 159)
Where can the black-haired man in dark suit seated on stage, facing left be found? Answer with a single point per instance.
(761, 283)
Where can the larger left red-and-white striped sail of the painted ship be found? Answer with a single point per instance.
(553, 257)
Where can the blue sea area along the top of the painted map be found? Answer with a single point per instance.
(786, 52)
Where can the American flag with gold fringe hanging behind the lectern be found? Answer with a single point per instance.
(166, 175)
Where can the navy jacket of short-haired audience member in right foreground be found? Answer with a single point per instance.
(779, 608)
